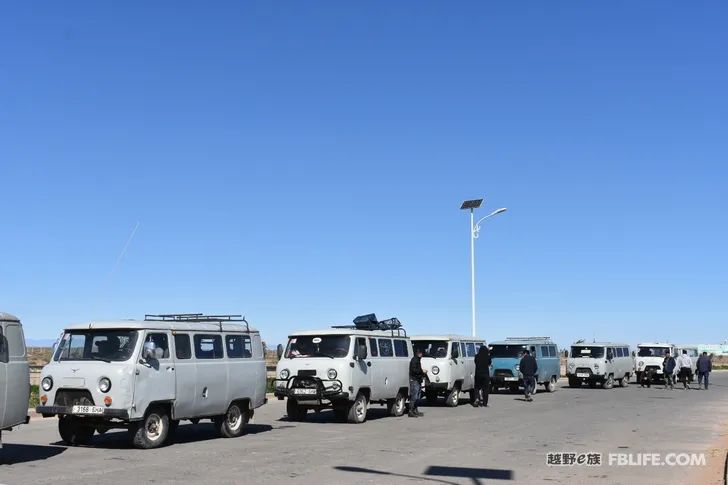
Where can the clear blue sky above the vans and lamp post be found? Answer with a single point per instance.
(304, 162)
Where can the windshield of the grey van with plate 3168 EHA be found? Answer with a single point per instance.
(105, 345)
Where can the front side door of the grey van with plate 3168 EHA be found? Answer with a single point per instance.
(155, 376)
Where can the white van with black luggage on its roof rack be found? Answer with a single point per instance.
(345, 368)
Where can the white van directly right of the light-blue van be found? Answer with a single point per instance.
(599, 364)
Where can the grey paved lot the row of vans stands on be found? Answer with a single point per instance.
(505, 443)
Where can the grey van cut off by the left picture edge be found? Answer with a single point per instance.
(14, 374)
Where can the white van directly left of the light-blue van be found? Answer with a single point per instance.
(450, 365)
